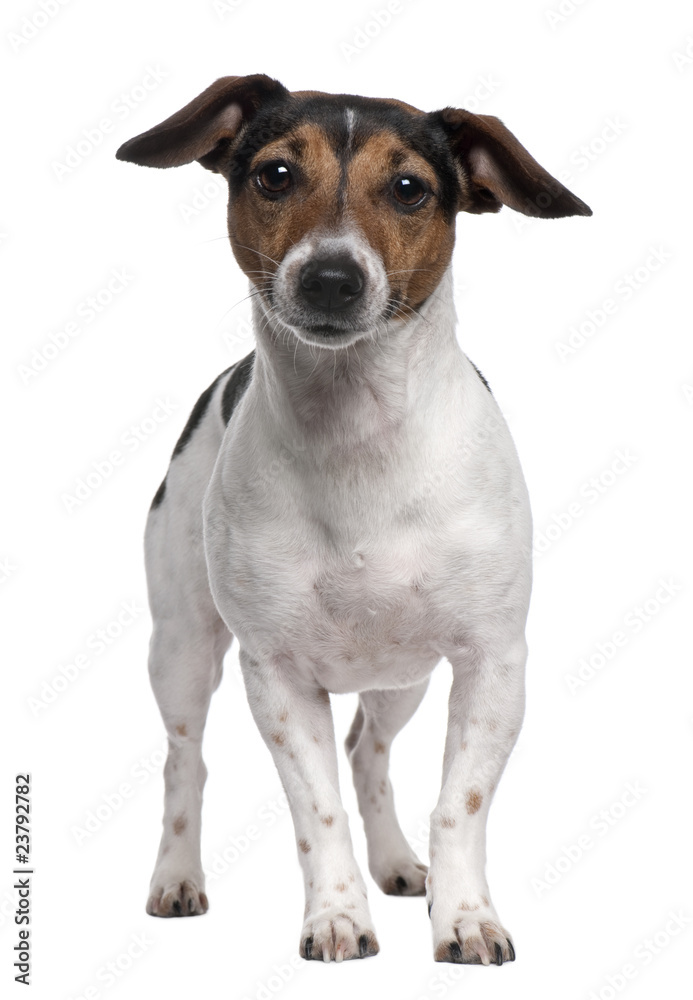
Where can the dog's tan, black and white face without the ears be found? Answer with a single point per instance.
(348, 210)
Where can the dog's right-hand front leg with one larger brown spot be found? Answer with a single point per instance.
(485, 714)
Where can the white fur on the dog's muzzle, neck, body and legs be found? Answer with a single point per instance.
(365, 516)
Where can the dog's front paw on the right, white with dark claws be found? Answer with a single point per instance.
(471, 938)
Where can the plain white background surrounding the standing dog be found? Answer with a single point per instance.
(601, 92)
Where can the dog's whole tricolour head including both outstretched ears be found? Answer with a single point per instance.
(342, 209)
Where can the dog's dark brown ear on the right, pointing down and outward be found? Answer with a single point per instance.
(500, 171)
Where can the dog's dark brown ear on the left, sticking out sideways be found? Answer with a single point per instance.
(203, 129)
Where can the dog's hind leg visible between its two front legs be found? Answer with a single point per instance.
(379, 717)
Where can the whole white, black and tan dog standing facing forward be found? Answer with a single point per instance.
(347, 500)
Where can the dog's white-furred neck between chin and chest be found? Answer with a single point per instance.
(362, 391)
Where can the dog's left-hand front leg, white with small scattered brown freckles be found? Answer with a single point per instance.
(295, 720)
